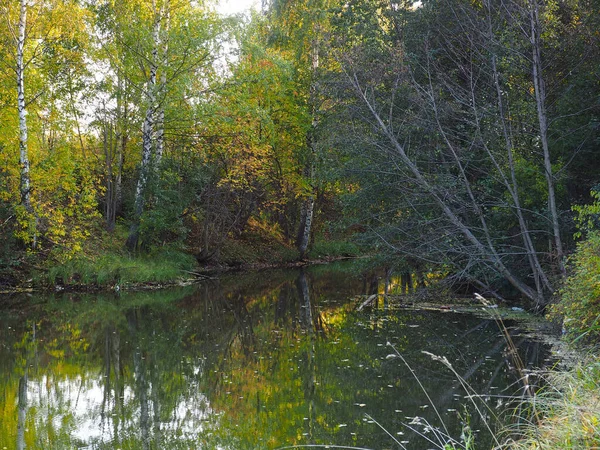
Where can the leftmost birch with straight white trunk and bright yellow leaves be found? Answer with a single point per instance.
(43, 53)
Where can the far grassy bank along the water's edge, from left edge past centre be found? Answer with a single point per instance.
(104, 264)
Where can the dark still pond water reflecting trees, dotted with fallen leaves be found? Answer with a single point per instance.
(260, 361)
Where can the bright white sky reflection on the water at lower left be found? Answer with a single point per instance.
(77, 407)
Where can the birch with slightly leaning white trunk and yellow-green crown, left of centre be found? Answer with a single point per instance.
(159, 55)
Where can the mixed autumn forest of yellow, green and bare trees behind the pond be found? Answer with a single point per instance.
(452, 136)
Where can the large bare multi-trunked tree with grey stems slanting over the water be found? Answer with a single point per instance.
(439, 98)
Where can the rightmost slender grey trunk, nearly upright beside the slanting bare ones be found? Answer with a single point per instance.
(540, 99)
